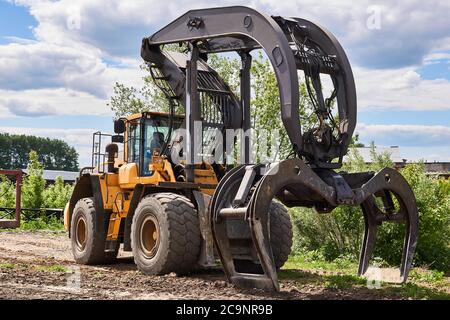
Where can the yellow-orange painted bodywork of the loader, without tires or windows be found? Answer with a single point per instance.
(114, 191)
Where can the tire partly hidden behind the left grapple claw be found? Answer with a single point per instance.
(280, 240)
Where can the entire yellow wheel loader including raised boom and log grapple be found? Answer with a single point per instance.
(180, 190)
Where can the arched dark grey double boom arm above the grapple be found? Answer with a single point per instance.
(290, 44)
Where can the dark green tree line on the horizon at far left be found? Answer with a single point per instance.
(54, 154)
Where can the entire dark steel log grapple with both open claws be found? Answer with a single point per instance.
(295, 183)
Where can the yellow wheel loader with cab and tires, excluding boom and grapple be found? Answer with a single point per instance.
(137, 196)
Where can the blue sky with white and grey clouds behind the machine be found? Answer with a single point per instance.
(59, 61)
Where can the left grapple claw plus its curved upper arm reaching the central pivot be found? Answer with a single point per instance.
(259, 189)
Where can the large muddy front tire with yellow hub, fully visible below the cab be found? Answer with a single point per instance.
(174, 245)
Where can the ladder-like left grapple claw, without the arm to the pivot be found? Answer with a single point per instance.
(231, 216)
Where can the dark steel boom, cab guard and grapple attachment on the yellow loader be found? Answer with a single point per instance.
(308, 179)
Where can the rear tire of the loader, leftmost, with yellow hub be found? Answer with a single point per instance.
(88, 235)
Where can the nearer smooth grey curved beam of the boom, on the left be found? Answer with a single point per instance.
(241, 28)
